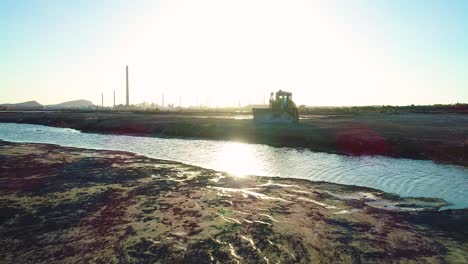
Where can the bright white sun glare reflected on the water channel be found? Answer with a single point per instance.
(240, 159)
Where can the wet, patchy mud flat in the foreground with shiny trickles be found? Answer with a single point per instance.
(60, 204)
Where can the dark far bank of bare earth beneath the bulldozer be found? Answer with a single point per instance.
(438, 137)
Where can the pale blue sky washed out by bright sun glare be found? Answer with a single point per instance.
(373, 52)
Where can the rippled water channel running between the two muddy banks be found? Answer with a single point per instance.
(401, 176)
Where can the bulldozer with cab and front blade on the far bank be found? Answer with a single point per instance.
(281, 109)
